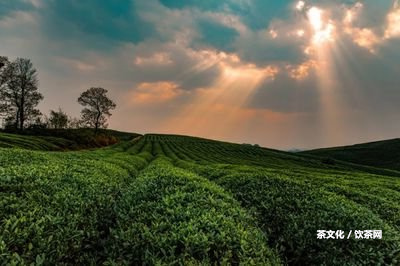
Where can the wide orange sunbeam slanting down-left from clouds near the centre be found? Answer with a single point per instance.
(218, 109)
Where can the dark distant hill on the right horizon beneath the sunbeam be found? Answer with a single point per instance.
(382, 154)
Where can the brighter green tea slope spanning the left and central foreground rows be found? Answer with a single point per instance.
(119, 205)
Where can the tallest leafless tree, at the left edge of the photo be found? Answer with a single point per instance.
(19, 92)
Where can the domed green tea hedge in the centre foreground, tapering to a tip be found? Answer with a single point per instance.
(171, 216)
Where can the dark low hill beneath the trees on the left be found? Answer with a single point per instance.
(63, 139)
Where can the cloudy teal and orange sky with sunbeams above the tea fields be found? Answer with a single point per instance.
(281, 74)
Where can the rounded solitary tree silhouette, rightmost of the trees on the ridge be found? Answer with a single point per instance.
(97, 107)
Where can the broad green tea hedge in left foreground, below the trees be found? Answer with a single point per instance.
(59, 208)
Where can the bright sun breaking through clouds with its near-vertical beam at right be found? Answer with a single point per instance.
(322, 52)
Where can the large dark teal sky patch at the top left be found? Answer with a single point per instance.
(95, 23)
